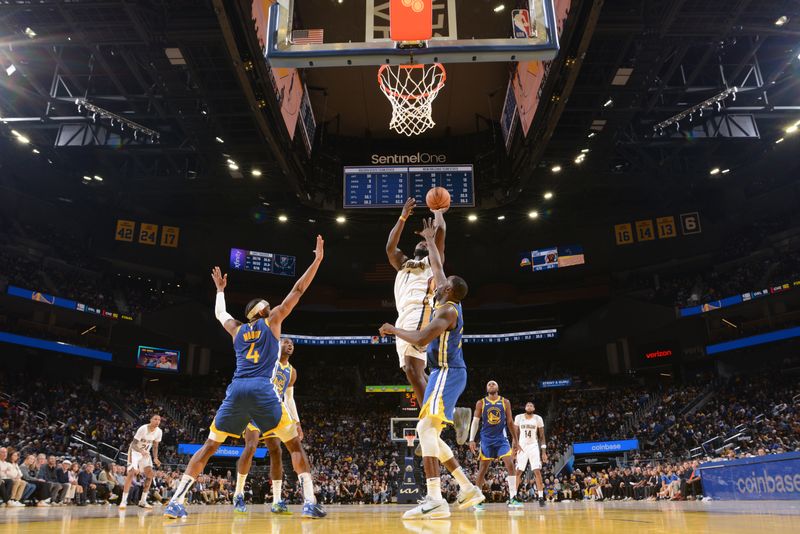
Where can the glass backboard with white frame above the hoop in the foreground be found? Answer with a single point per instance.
(308, 33)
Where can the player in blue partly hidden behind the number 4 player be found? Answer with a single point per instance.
(285, 377)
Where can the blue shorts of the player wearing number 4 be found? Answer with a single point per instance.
(246, 400)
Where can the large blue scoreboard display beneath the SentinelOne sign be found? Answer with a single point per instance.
(390, 186)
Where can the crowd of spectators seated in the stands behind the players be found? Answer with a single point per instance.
(51, 433)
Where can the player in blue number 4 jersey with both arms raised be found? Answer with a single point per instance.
(251, 395)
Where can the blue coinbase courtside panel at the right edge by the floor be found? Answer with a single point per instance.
(763, 478)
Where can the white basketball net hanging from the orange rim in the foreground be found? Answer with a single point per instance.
(411, 89)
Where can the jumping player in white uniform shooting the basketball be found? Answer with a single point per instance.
(413, 295)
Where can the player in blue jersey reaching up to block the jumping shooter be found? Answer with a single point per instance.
(446, 383)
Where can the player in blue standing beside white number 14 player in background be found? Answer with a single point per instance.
(493, 415)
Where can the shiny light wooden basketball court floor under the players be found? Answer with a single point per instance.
(615, 517)
